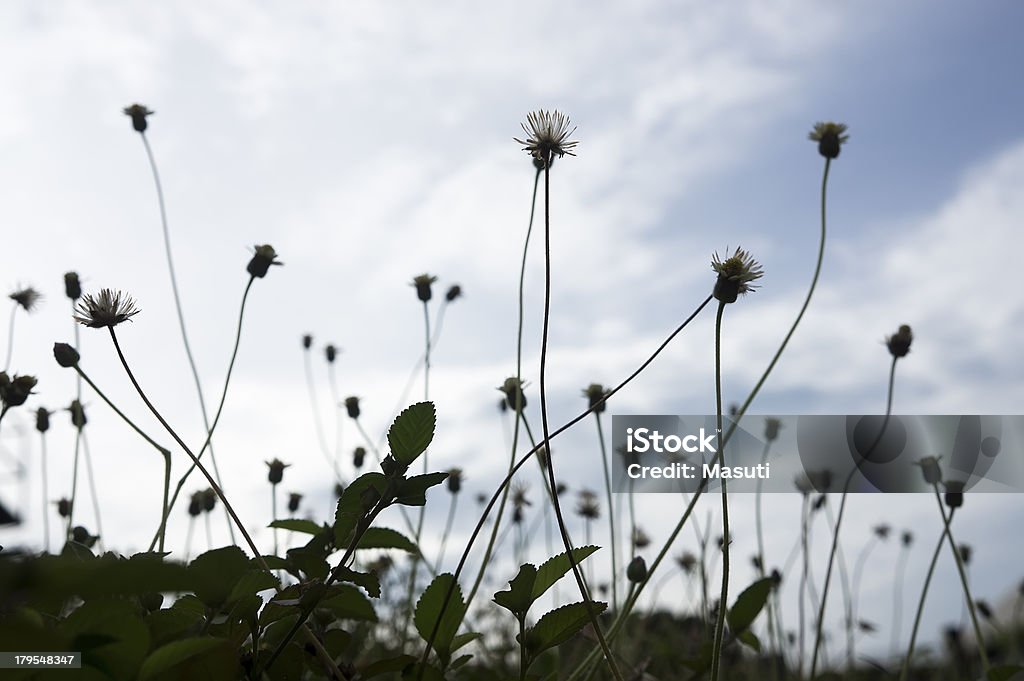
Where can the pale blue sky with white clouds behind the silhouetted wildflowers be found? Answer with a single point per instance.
(371, 143)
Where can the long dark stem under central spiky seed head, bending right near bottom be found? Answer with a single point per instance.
(547, 437)
